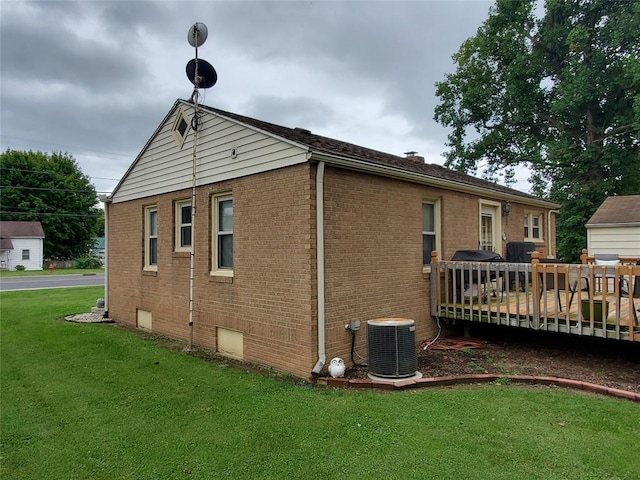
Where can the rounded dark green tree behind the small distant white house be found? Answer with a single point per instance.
(53, 190)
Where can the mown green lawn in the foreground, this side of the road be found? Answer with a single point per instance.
(101, 401)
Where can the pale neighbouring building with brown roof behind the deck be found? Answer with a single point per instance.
(615, 227)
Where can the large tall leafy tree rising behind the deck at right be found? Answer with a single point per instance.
(557, 91)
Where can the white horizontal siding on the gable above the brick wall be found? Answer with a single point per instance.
(164, 167)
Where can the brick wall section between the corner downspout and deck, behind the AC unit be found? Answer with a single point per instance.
(373, 250)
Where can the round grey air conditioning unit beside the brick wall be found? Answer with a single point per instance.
(391, 347)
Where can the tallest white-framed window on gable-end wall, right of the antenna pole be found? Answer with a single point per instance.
(222, 235)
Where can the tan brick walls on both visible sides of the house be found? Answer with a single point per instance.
(373, 262)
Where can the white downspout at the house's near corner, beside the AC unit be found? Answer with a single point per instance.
(322, 356)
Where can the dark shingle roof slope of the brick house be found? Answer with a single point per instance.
(320, 144)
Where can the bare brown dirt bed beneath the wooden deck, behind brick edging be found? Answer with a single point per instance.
(612, 363)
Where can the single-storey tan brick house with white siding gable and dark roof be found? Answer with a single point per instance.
(295, 235)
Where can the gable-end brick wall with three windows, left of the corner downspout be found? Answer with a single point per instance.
(269, 298)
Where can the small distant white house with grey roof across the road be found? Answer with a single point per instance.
(21, 243)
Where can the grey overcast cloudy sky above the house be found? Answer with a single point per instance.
(96, 78)
